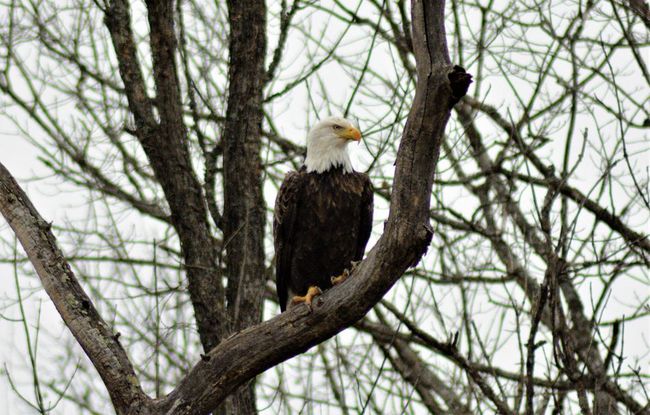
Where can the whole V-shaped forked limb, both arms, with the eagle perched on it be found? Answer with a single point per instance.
(251, 351)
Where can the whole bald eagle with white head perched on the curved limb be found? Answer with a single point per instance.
(323, 215)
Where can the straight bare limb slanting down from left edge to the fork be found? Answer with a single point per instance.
(99, 342)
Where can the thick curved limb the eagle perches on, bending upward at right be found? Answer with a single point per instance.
(406, 237)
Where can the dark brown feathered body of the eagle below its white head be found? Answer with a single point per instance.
(322, 223)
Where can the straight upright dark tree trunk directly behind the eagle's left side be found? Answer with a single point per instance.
(244, 211)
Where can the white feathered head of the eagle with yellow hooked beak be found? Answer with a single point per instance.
(327, 144)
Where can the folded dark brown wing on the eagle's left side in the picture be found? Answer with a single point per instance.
(284, 220)
